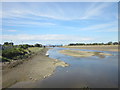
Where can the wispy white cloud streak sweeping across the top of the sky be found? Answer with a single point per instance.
(55, 11)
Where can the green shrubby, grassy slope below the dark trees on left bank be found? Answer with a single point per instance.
(17, 53)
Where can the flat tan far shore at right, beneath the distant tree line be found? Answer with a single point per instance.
(97, 47)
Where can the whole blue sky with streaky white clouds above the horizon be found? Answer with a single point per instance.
(60, 22)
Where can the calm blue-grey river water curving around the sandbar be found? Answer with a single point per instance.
(92, 72)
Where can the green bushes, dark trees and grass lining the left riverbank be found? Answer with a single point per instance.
(12, 52)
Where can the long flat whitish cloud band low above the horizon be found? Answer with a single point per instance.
(46, 37)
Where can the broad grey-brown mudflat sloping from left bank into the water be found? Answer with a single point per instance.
(35, 68)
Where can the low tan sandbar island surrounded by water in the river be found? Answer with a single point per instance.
(76, 53)
